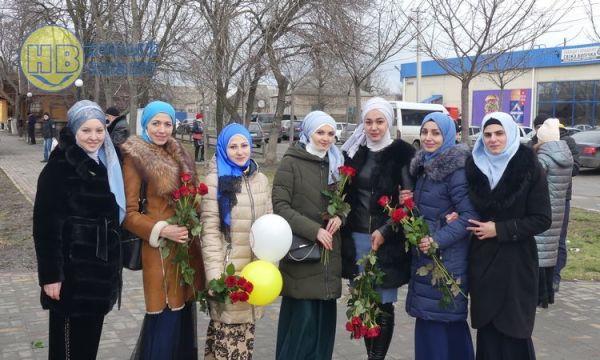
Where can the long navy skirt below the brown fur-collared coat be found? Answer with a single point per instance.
(170, 335)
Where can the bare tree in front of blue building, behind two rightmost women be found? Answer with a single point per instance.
(475, 33)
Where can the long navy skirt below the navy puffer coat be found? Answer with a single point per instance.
(437, 340)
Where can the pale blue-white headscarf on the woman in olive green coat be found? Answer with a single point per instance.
(312, 122)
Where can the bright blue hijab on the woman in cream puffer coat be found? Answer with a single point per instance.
(228, 172)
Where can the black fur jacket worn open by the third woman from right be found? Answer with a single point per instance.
(389, 171)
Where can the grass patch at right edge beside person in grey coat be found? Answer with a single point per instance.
(583, 246)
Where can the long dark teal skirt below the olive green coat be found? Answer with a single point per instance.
(306, 329)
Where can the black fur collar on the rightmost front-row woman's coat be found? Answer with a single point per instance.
(517, 177)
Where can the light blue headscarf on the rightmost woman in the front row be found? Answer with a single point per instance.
(493, 166)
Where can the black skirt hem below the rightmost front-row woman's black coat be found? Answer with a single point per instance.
(494, 345)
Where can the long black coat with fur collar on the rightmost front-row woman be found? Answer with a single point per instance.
(503, 271)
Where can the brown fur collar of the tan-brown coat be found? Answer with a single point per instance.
(160, 165)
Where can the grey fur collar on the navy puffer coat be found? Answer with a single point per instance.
(444, 164)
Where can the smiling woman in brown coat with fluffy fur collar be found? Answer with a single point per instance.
(158, 160)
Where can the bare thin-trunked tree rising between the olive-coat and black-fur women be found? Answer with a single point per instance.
(365, 36)
